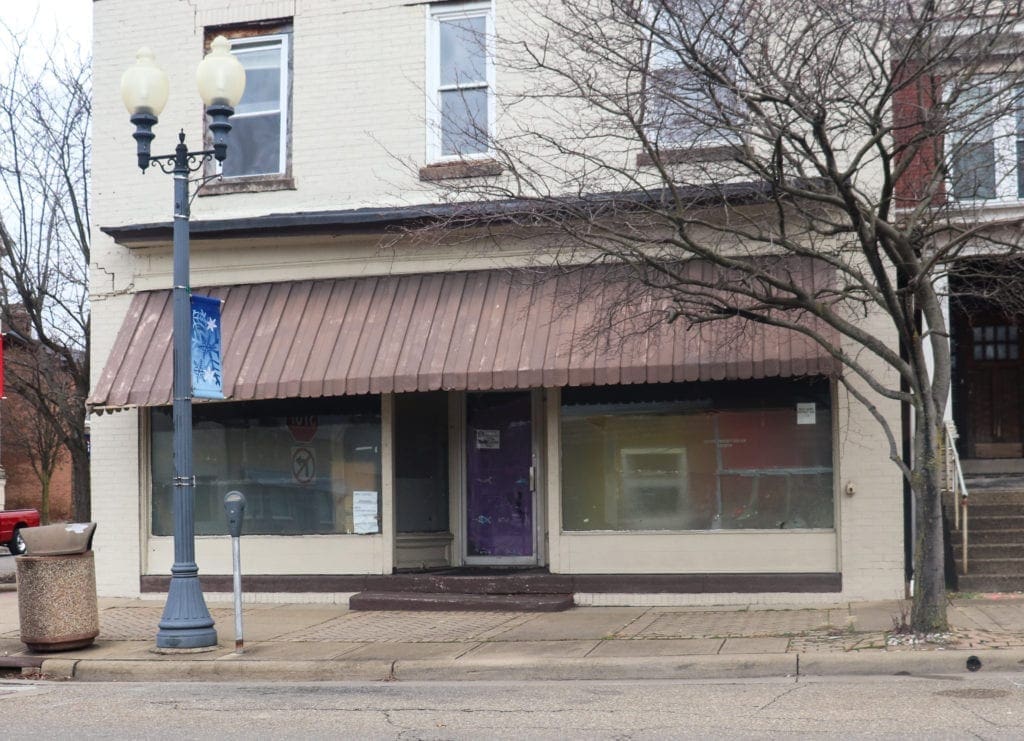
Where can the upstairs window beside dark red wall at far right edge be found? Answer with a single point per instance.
(986, 144)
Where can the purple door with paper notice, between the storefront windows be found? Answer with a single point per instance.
(499, 501)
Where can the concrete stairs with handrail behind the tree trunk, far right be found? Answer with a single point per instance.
(996, 548)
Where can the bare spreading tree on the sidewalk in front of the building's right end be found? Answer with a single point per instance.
(863, 136)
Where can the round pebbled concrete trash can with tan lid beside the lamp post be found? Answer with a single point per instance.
(57, 588)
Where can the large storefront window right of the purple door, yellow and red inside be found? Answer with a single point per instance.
(698, 457)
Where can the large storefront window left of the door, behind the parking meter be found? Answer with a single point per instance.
(306, 466)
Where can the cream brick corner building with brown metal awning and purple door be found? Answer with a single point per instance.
(398, 405)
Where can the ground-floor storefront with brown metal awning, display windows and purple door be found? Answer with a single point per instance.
(467, 420)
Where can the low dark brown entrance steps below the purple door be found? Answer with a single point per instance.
(488, 590)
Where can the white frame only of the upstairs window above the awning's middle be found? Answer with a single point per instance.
(436, 15)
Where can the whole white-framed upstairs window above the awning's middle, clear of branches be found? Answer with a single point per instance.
(460, 81)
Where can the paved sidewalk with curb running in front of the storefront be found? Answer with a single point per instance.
(321, 643)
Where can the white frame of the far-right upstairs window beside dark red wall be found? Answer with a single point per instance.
(1005, 138)
